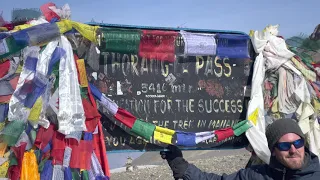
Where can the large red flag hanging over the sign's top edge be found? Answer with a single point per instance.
(158, 45)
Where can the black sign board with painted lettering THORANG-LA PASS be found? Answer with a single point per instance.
(191, 94)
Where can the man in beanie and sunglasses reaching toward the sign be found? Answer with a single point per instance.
(290, 158)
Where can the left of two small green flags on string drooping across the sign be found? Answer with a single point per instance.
(143, 129)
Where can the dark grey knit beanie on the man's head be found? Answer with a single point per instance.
(279, 128)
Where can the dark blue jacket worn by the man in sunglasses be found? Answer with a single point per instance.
(274, 171)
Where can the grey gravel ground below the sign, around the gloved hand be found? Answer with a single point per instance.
(218, 165)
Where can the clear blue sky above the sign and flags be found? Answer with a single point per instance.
(294, 16)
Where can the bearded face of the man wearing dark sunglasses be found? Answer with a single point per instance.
(294, 157)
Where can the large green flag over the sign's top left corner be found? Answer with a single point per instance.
(120, 40)
